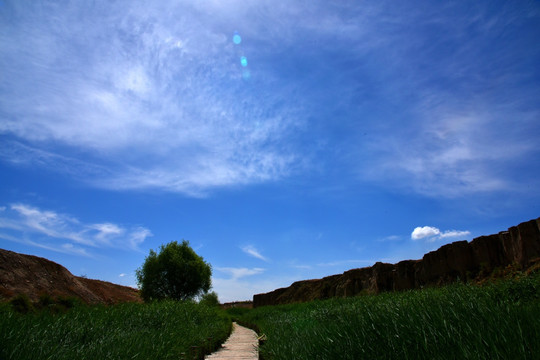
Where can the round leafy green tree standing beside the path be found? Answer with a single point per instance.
(176, 272)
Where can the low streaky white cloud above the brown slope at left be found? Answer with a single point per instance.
(49, 229)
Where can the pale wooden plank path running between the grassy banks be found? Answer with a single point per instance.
(242, 345)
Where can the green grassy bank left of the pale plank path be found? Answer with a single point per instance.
(162, 330)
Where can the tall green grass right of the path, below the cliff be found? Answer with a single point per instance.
(496, 321)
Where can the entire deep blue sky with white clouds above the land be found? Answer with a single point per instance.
(285, 140)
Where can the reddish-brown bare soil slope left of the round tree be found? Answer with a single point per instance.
(34, 276)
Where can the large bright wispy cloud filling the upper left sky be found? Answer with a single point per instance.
(144, 103)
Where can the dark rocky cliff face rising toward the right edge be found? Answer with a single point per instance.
(519, 246)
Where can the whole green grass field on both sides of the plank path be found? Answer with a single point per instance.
(496, 321)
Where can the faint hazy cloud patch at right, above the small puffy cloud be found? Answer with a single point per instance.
(452, 154)
